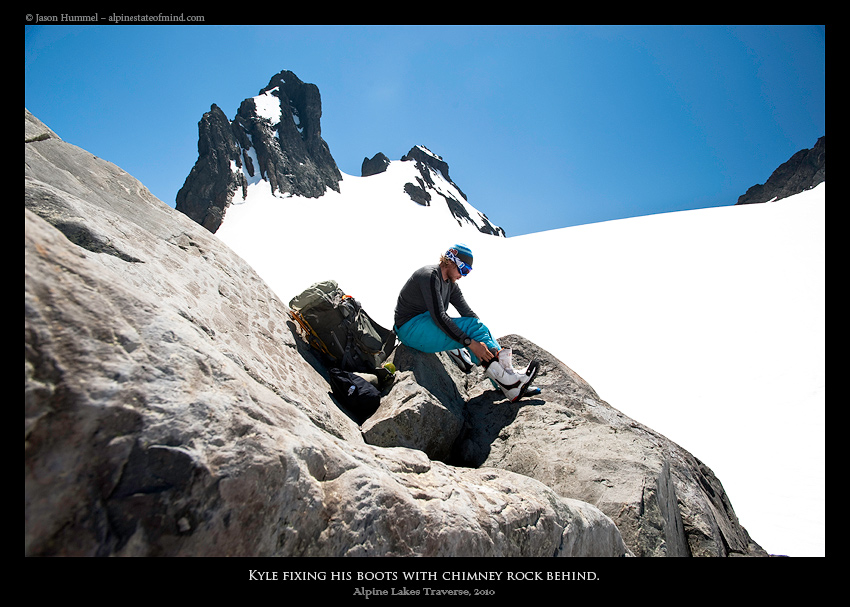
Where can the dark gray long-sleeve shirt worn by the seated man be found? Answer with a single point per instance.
(426, 291)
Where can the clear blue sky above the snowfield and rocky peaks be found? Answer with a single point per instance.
(542, 126)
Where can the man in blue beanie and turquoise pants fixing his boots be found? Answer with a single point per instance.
(422, 323)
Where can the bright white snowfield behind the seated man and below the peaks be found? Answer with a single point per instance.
(707, 326)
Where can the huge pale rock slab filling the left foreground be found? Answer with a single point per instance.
(170, 409)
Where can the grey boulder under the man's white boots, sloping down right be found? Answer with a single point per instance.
(663, 499)
